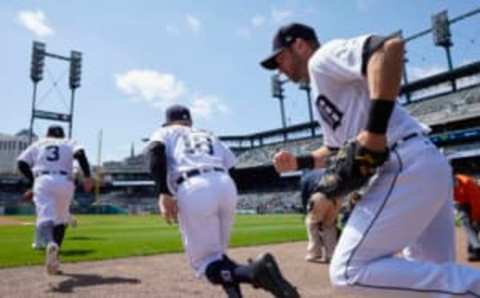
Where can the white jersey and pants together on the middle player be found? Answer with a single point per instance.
(207, 201)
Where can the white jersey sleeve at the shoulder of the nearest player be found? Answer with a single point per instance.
(341, 59)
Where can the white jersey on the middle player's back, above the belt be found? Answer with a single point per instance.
(190, 148)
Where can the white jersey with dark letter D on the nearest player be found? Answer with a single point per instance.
(341, 98)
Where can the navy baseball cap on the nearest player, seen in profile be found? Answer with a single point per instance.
(284, 37)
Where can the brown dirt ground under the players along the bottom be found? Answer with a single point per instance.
(164, 276)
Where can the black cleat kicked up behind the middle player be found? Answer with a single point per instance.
(267, 275)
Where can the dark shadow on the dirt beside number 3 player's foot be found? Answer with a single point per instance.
(88, 280)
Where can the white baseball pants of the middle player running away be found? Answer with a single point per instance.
(206, 208)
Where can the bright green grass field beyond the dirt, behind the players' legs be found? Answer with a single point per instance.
(106, 237)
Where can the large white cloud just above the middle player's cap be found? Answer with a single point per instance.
(154, 87)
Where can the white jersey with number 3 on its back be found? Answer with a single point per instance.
(50, 154)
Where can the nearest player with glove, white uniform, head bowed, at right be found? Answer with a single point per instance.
(407, 202)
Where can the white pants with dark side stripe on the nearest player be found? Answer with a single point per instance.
(408, 207)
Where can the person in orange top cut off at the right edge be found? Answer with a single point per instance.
(467, 203)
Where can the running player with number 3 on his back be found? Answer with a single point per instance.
(48, 164)
